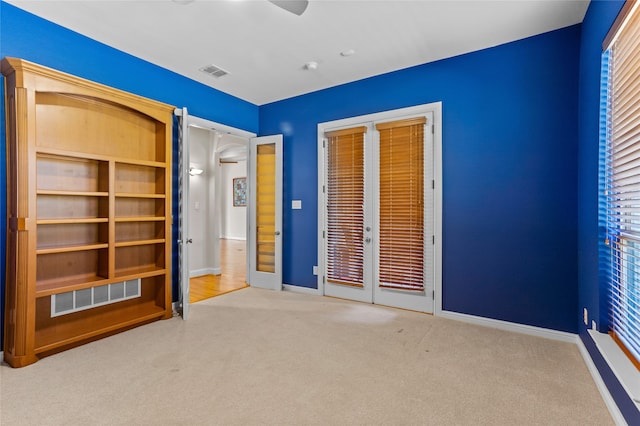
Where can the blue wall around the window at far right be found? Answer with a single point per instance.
(592, 292)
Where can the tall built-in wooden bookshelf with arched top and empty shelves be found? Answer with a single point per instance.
(88, 200)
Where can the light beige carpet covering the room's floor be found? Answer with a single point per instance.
(256, 357)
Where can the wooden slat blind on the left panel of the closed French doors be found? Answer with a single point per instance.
(345, 206)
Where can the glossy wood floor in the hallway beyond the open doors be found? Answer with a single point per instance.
(233, 266)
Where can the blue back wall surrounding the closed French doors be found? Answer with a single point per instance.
(509, 173)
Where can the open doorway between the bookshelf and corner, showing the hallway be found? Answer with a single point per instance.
(217, 213)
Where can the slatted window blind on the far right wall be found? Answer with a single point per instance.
(623, 184)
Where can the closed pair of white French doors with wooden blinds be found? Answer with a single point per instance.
(378, 229)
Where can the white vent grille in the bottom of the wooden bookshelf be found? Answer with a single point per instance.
(87, 298)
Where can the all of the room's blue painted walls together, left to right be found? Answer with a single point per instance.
(520, 160)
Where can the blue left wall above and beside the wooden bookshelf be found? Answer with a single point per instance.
(26, 36)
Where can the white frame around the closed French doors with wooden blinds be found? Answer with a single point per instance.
(436, 109)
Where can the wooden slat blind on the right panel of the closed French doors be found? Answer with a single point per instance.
(401, 201)
